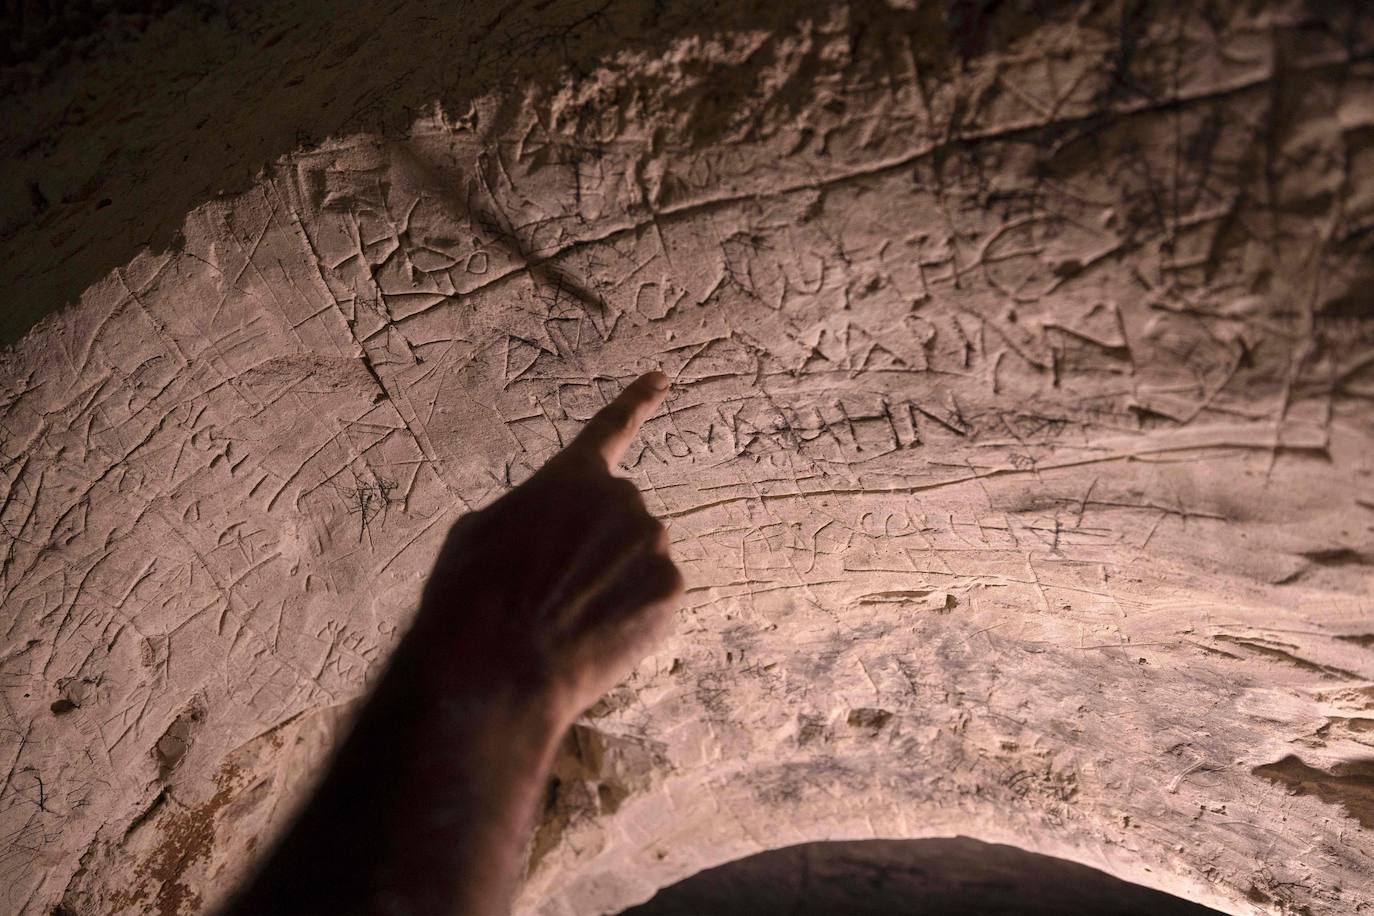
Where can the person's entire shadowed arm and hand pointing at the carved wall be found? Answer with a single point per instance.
(537, 606)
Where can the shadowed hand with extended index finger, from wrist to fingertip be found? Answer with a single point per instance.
(564, 584)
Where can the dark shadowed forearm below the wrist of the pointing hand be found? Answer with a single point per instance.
(427, 807)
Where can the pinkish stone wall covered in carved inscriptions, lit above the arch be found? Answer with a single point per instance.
(1020, 458)
